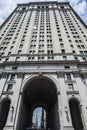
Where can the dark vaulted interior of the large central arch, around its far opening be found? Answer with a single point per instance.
(39, 92)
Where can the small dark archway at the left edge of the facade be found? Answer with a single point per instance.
(4, 109)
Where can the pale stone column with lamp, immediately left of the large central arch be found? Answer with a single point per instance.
(10, 124)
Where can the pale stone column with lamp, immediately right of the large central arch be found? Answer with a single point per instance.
(65, 112)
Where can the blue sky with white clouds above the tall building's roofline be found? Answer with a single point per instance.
(7, 6)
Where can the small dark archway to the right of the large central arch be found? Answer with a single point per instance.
(76, 114)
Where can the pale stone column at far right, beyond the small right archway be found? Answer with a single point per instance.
(82, 95)
